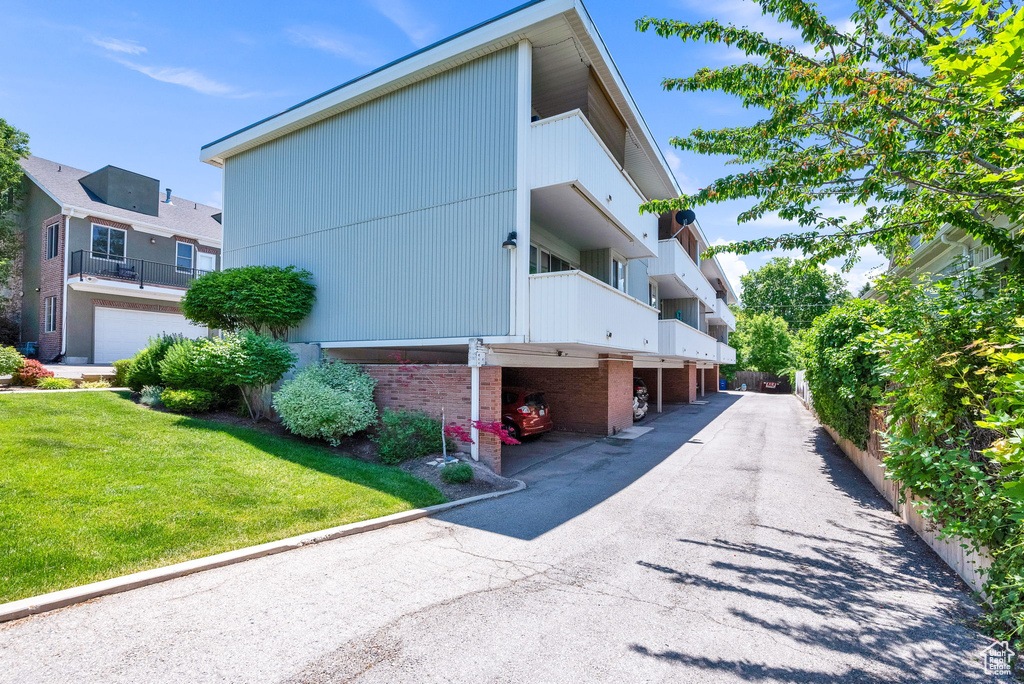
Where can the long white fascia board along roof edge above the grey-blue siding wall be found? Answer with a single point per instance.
(333, 102)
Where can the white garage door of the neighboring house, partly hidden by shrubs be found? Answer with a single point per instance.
(121, 333)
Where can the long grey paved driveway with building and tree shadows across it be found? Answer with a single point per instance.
(734, 543)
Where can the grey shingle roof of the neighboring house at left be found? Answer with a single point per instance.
(185, 218)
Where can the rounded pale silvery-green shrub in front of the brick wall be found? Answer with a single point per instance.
(328, 402)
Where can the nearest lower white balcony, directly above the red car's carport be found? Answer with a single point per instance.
(573, 309)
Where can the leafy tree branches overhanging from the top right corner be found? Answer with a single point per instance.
(911, 118)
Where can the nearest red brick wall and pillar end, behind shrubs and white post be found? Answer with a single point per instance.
(426, 389)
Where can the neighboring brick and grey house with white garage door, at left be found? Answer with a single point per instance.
(106, 261)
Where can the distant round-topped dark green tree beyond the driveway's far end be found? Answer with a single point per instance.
(792, 291)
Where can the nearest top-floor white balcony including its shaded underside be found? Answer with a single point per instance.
(579, 187)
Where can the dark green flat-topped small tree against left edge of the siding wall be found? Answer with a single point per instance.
(251, 298)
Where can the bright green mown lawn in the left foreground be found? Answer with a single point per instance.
(94, 487)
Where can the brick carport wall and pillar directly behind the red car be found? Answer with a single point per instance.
(599, 401)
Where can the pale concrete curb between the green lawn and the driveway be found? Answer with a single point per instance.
(67, 597)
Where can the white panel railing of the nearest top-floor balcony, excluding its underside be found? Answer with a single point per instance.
(566, 151)
